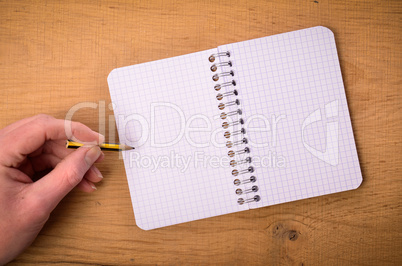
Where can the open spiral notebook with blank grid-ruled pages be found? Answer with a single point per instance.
(258, 123)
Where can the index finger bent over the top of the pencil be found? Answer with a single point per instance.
(30, 136)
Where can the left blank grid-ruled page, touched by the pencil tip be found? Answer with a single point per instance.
(179, 169)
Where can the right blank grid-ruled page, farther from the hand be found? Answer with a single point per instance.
(297, 118)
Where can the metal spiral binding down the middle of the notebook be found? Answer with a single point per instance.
(237, 148)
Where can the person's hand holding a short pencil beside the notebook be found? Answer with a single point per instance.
(28, 147)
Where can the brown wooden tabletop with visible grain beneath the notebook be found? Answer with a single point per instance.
(57, 54)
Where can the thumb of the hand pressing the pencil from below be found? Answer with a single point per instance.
(53, 187)
